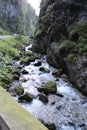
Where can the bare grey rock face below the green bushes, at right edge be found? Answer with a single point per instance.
(78, 73)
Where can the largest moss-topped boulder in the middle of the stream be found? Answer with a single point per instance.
(49, 87)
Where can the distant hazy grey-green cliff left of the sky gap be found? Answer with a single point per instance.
(17, 16)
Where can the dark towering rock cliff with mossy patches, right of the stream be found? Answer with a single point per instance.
(61, 33)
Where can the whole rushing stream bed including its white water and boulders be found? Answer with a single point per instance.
(47, 94)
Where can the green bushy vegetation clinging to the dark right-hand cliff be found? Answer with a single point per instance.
(77, 43)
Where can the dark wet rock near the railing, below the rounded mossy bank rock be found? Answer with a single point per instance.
(27, 97)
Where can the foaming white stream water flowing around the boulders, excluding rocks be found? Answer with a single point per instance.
(67, 109)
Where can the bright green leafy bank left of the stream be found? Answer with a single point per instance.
(10, 48)
